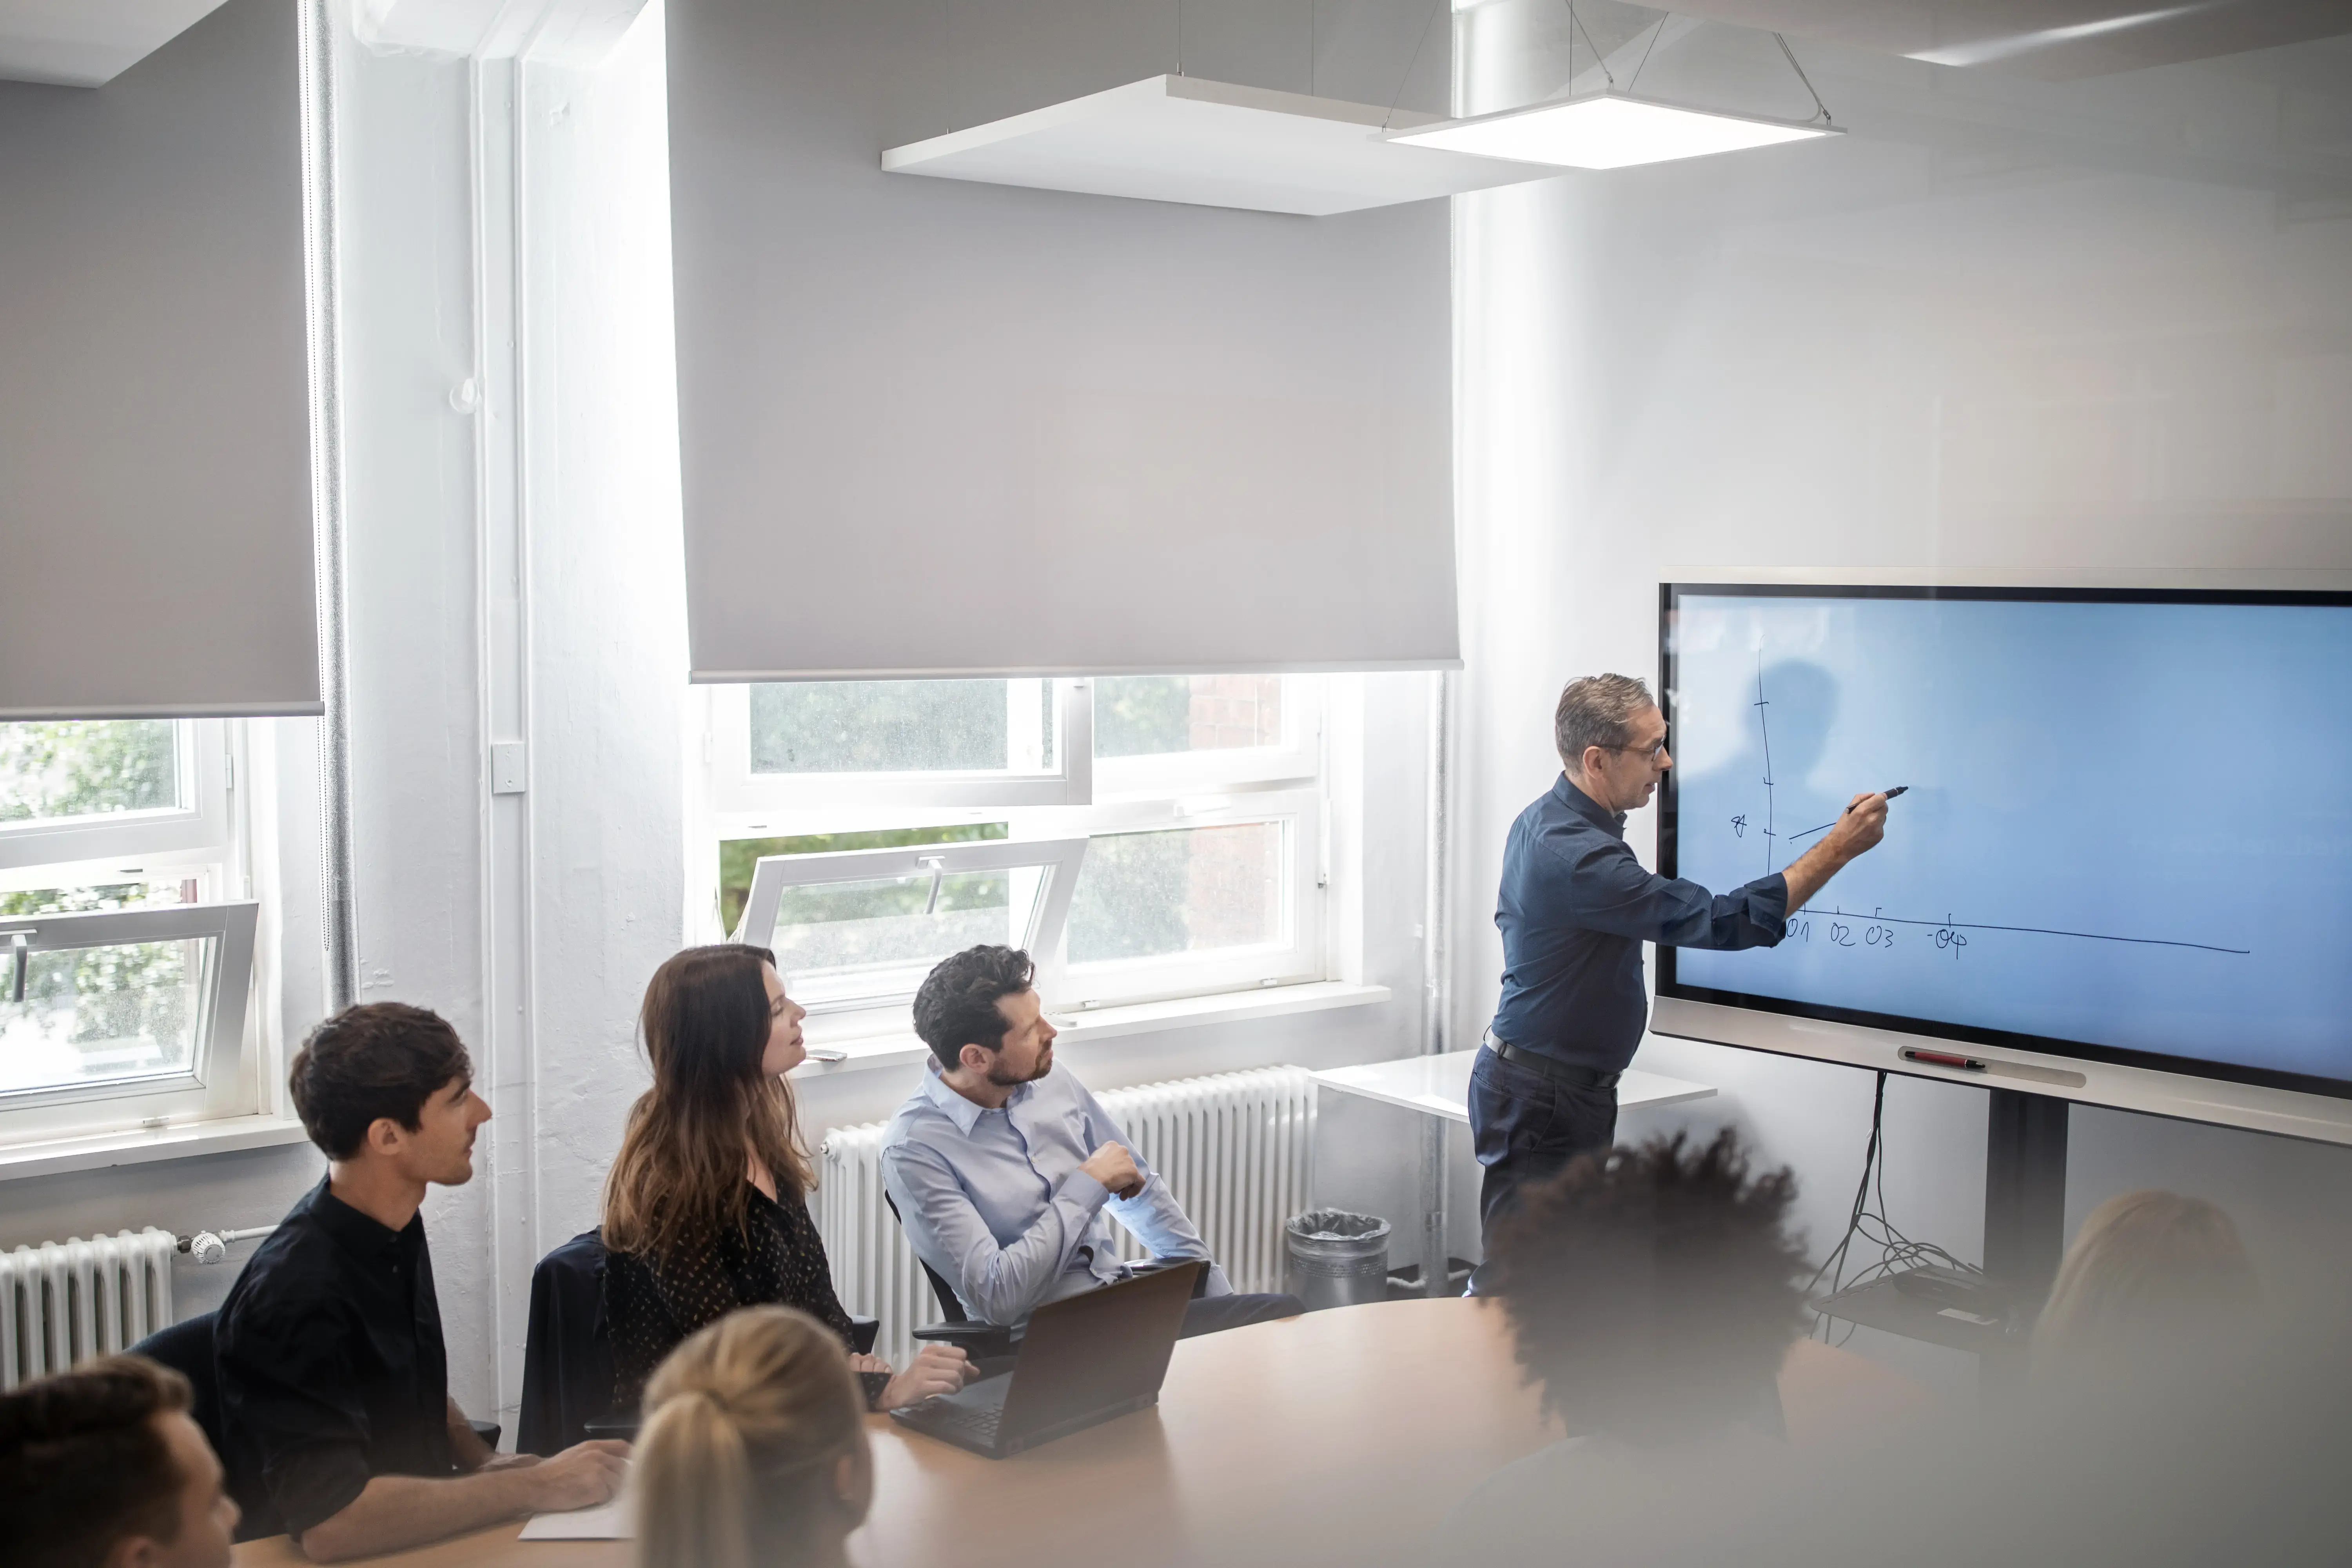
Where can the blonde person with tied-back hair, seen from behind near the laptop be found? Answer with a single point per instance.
(754, 1449)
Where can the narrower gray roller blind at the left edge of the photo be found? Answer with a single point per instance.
(154, 410)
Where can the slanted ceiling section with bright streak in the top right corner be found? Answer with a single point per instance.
(2047, 39)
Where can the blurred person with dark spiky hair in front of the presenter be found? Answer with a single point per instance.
(1652, 1294)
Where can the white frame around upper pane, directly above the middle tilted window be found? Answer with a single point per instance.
(740, 796)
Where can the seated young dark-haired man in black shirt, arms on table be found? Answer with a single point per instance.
(335, 1388)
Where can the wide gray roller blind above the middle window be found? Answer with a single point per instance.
(947, 429)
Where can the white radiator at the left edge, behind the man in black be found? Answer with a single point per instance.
(69, 1301)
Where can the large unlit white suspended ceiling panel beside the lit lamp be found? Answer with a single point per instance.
(1212, 145)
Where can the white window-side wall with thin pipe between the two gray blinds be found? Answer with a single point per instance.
(516, 575)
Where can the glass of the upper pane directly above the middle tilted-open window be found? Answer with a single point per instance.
(907, 728)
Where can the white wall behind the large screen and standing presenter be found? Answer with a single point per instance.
(2120, 337)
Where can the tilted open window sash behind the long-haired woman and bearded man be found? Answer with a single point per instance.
(864, 927)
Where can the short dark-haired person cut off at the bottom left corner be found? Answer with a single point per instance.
(102, 1468)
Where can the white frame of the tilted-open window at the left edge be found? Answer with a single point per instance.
(225, 1076)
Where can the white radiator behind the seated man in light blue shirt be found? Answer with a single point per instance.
(1234, 1148)
